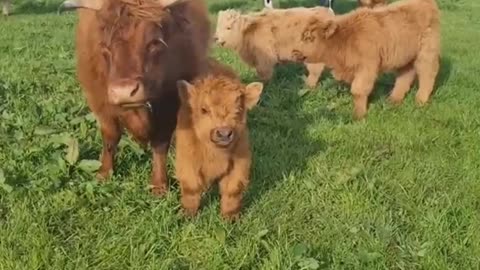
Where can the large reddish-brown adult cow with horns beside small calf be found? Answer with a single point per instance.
(130, 54)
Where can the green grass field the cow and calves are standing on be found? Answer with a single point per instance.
(400, 190)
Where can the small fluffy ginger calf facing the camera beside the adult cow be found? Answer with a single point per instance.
(212, 139)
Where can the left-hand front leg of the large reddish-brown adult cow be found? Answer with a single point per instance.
(111, 134)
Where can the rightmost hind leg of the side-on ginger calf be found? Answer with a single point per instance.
(427, 66)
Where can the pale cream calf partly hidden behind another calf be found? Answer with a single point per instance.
(266, 38)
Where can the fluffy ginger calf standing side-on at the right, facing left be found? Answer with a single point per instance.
(358, 46)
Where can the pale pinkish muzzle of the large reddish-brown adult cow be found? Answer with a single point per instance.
(126, 92)
